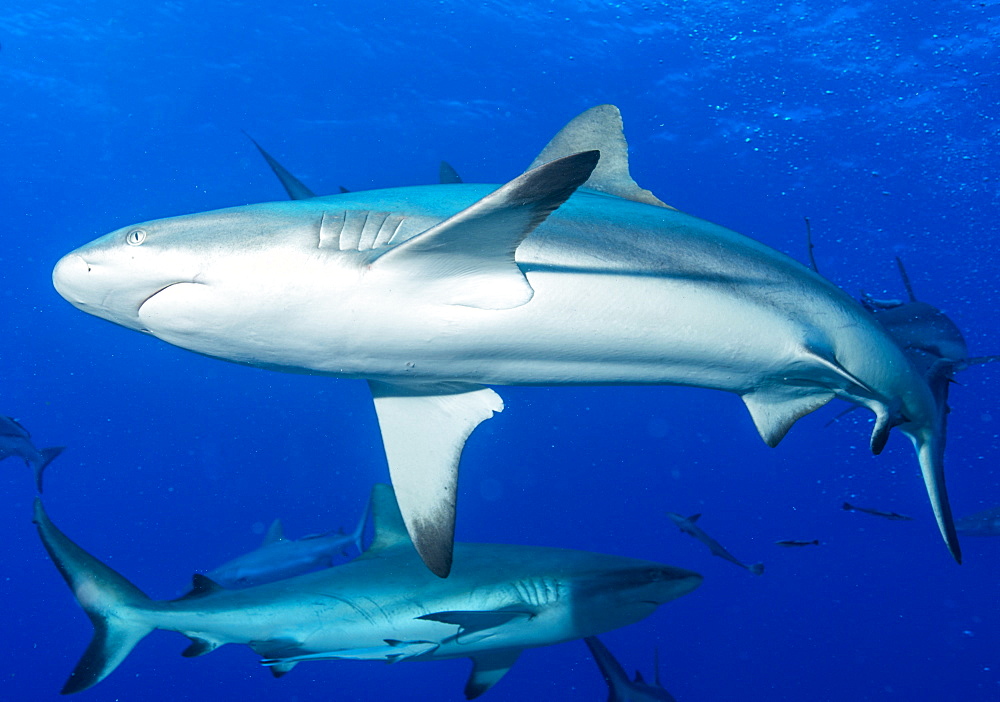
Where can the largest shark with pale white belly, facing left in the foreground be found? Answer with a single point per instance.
(568, 274)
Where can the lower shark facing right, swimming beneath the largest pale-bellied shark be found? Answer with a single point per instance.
(384, 605)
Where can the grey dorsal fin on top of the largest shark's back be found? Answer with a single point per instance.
(600, 128)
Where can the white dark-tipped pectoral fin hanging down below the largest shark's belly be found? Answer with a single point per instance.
(424, 429)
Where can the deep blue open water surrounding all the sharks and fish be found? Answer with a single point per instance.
(880, 125)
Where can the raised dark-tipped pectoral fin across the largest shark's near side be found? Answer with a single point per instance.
(472, 253)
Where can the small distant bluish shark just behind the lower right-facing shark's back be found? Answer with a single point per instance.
(278, 558)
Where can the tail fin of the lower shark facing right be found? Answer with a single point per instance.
(108, 599)
